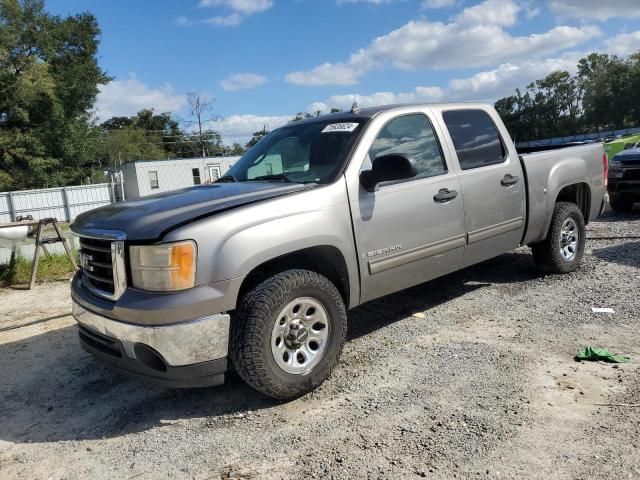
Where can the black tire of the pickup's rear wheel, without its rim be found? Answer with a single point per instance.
(548, 253)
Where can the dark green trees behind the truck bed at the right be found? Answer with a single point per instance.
(603, 95)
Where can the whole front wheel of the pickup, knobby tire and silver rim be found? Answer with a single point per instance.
(288, 333)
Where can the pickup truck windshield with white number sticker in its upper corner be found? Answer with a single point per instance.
(306, 153)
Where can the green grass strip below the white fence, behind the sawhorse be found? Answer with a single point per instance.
(54, 267)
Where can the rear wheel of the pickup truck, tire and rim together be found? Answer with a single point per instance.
(562, 250)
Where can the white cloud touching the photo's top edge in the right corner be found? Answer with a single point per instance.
(597, 9)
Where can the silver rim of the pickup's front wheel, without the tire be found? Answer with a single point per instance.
(300, 336)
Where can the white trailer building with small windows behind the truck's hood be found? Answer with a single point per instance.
(144, 178)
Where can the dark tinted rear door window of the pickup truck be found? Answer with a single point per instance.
(475, 138)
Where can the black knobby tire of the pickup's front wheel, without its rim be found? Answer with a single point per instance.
(253, 323)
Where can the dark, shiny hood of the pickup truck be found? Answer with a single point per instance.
(149, 218)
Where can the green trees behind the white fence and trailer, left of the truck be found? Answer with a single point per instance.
(49, 80)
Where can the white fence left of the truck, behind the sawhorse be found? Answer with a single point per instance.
(63, 203)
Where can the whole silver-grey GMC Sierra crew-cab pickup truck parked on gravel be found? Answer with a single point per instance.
(257, 271)
